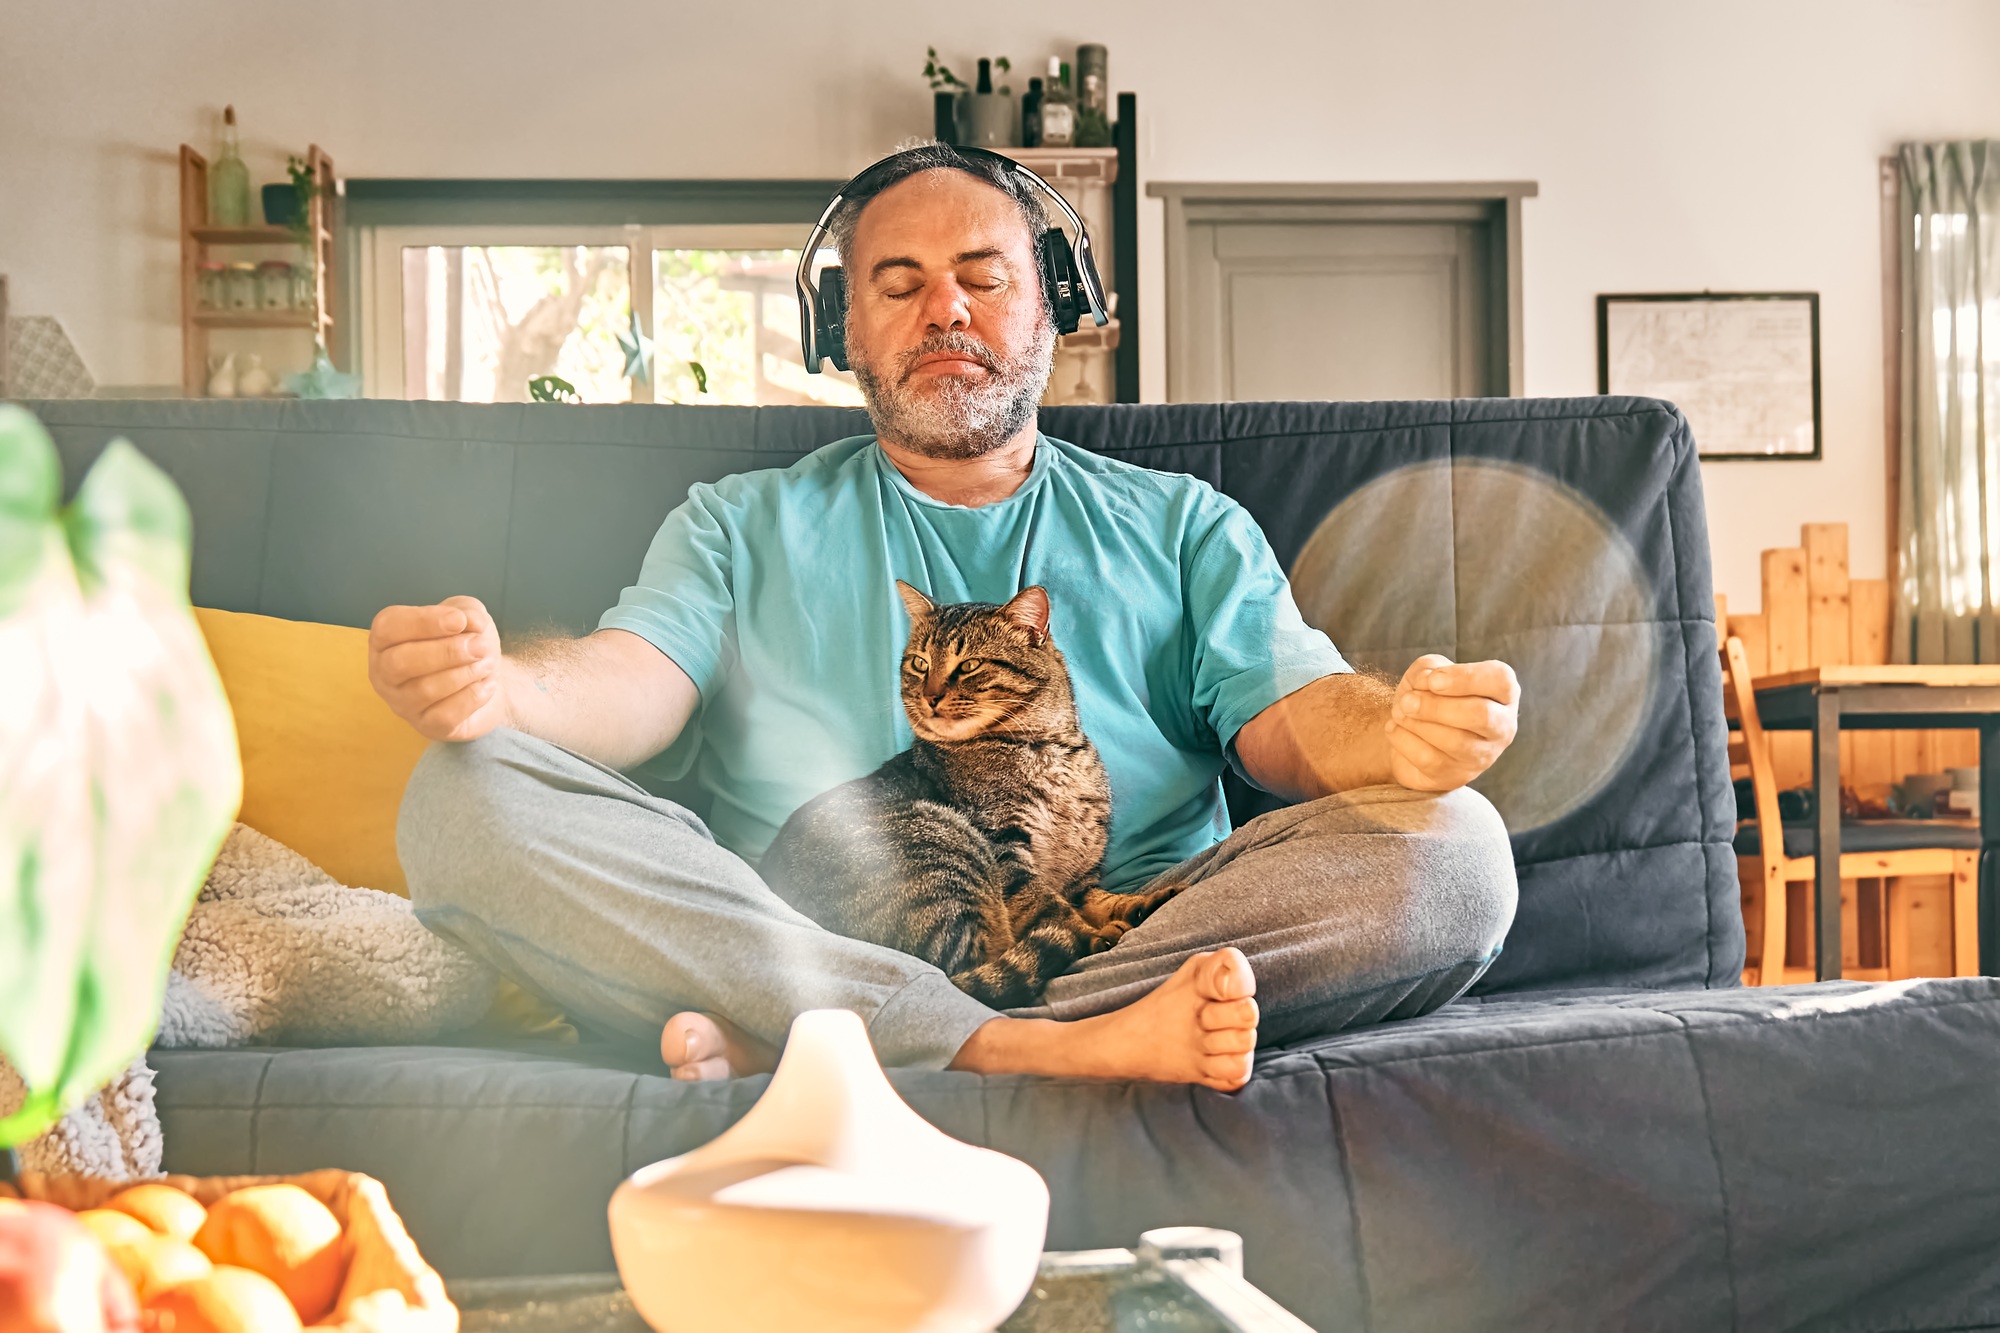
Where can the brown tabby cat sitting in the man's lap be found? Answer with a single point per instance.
(977, 850)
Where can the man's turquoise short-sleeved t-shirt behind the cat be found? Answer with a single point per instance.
(775, 591)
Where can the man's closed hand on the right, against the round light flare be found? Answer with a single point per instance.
(1451, 722)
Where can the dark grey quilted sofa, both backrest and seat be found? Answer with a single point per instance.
(1609, 1134)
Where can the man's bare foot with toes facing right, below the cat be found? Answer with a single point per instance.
(1197, 1028)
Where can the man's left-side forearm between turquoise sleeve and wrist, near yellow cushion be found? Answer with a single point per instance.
(609, 698)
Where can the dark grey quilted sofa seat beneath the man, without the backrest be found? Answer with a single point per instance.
(1701, 1160)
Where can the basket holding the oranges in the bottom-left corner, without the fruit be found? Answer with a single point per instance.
(387, 1286)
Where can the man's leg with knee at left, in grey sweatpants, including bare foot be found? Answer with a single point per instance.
(623, 910)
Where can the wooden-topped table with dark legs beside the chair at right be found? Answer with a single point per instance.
(1825, 700)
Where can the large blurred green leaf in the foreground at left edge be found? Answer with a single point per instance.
(119, 768)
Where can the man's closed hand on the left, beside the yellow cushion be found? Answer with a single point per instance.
(439, 668)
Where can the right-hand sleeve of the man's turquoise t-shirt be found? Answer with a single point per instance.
(1251, 645)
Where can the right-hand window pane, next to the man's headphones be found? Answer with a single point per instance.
(737, 315)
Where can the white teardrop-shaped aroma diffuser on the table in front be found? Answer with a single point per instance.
(831, 1206)
